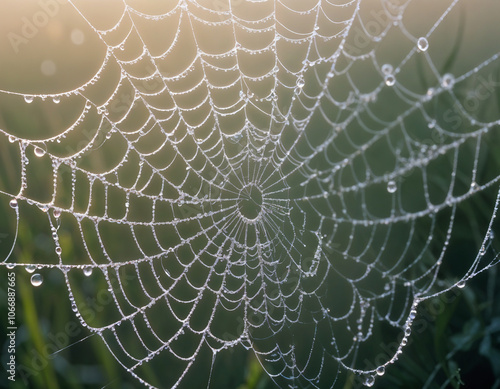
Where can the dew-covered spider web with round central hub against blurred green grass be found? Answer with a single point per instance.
(284, 176)
